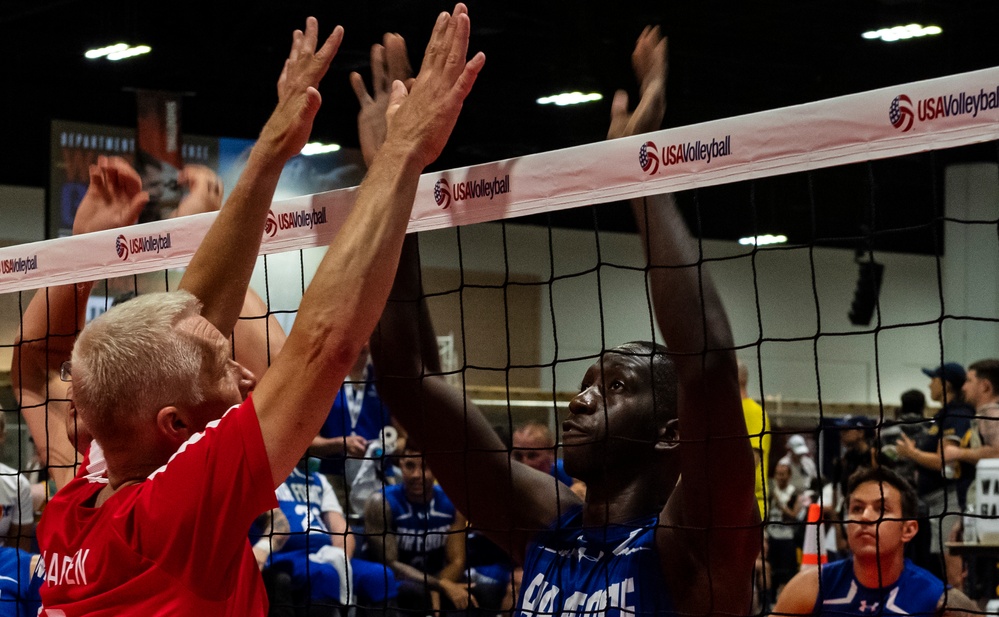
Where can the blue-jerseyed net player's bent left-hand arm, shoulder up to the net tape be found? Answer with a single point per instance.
(505, 499)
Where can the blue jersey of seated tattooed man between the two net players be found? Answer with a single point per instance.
(421, 529)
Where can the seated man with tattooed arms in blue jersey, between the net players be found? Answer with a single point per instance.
(414, 528)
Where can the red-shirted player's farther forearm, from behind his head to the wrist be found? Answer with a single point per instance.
(219, 272)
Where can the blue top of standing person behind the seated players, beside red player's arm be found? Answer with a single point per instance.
(357, 410)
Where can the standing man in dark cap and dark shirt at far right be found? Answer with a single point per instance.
(942, 487)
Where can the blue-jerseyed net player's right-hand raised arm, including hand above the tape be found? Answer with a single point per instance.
(716, 490)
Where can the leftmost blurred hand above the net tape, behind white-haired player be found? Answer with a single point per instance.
(114, 198)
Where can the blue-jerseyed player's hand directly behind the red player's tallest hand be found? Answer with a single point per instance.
(389, 62)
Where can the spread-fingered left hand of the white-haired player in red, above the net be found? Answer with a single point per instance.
(289, 126)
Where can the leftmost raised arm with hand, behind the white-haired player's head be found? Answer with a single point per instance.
(55, 315)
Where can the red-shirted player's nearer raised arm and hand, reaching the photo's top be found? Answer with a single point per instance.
(294, 397)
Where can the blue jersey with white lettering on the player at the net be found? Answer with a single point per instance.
(613, 571)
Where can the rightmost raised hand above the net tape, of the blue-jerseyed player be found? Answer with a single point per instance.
(650, 61)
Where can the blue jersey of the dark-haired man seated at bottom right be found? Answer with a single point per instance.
(916, 592)
